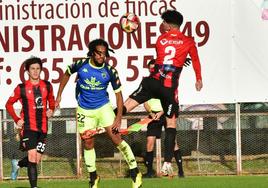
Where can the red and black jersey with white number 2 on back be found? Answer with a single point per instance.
(172, 49)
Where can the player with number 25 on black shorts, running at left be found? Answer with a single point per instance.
(38, 104)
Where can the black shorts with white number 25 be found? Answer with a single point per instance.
(33, 140)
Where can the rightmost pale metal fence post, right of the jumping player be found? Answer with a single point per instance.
(238, 139)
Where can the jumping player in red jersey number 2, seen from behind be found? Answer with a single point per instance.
(172, 49)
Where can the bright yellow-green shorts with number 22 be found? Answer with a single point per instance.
(97, 118)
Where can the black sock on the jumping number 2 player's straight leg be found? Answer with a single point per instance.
(169, 143)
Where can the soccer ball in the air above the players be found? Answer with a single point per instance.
(129, 22)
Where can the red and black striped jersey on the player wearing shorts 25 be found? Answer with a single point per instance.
(35, 98)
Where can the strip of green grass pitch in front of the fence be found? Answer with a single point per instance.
(188, 182)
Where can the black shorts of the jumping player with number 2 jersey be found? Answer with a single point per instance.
(152, 88)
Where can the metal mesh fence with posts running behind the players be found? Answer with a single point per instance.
(215, 140)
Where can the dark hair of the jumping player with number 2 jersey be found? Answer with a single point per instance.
(172, 17)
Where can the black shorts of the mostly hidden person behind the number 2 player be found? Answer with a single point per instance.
(154, 128)
